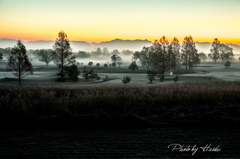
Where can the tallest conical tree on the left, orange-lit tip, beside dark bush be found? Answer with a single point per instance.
(62, 54)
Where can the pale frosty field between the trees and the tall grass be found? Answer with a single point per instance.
(46, 75)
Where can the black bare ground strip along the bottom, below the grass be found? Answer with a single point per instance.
(113, 143)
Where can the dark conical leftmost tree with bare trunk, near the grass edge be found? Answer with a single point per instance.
(19, 62)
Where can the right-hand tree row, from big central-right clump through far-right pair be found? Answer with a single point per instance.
(165, 56)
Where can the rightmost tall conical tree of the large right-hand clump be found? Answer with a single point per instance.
(189, 53)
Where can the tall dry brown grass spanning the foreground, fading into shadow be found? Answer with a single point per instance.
(177, 101)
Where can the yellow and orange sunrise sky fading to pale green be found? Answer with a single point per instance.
(105, 20)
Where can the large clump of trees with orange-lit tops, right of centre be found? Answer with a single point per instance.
(164, 56)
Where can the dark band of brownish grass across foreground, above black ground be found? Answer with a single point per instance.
(213, 103)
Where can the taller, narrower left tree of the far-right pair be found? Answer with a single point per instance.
(215, 50)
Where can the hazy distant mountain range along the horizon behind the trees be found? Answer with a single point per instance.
(119, 44)
